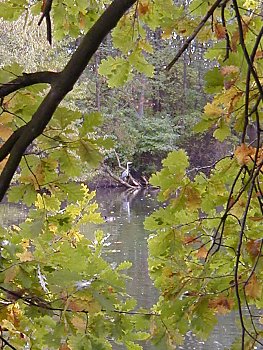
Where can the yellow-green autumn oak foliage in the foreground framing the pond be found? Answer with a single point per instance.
(57, 291)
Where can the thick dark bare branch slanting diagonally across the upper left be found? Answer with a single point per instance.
(62, 85)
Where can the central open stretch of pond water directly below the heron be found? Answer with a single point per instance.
(128, 238)
